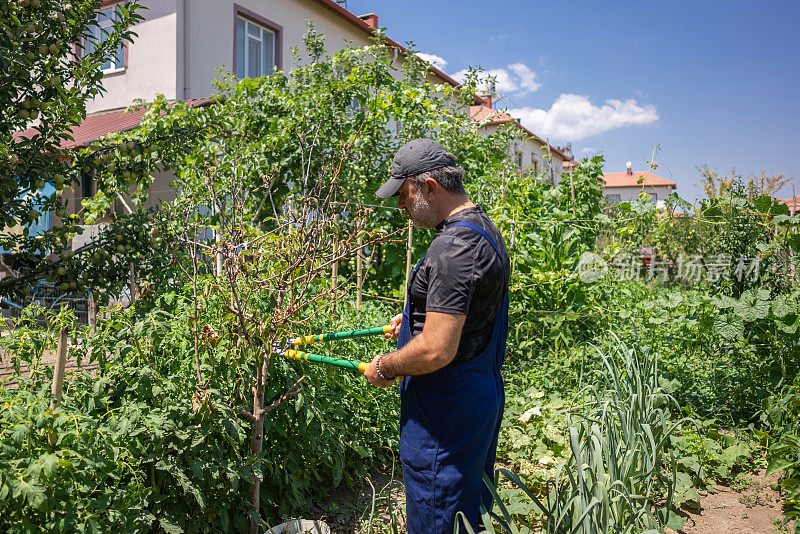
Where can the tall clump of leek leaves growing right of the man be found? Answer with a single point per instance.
(621, 475)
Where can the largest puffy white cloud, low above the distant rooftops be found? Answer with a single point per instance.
(574, 117)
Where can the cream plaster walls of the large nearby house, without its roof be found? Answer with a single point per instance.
(182, 43)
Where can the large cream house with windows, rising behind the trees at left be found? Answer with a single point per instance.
(181, 43)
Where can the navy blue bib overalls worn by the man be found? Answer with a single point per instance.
(449, 423)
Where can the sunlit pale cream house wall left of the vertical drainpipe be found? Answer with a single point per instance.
(151, 60)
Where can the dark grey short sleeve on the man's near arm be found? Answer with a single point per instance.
(451, 275)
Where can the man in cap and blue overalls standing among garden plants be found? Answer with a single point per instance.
(451, 343)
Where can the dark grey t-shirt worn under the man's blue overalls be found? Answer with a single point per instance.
(463, 275)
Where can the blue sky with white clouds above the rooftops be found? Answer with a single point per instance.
(713, 82)
